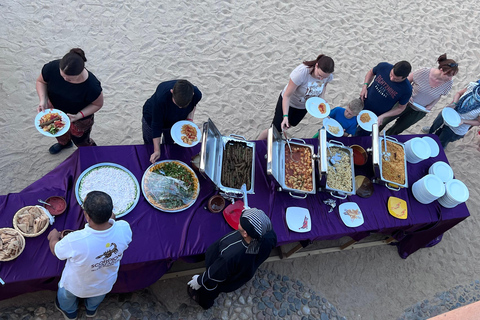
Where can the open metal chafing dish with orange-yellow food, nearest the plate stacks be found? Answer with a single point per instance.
(377, 159)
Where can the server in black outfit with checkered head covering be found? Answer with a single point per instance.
(233, 260)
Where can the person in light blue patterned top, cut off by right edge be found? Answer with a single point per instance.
(467, 103)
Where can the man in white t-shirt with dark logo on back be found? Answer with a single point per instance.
(93, 256)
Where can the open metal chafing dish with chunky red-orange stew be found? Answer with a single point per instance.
(276, 162)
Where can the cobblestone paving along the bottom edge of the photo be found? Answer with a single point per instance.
(267, 296)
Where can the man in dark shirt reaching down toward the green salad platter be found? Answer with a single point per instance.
(173, 101)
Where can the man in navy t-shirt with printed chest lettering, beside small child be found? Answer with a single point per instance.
(389, 87)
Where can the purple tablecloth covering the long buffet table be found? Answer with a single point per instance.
(160, 238)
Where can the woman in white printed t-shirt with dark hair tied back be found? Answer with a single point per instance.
(307, 80)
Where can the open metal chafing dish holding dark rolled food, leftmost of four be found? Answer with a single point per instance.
(211, 156)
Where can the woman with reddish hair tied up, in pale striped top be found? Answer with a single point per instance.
(429, 85)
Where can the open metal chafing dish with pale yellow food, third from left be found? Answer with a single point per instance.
(327, 165)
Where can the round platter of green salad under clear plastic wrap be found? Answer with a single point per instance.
(170, 186)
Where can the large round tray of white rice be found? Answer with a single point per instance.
(115, 180)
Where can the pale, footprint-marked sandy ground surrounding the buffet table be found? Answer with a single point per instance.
(240, 54)
